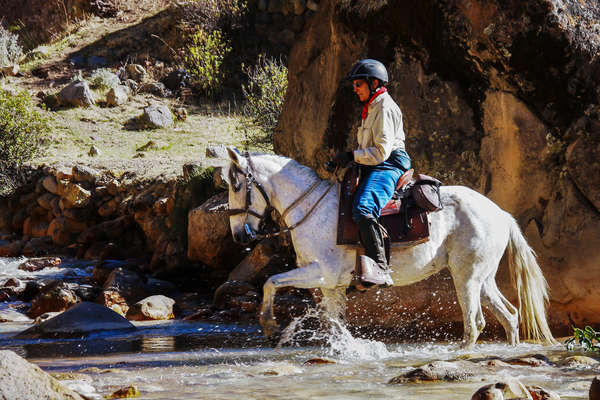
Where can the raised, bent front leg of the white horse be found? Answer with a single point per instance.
(311, 276)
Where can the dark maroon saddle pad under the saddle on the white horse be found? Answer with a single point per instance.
(394, 224)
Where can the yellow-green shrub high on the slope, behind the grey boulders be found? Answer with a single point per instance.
(204, 58)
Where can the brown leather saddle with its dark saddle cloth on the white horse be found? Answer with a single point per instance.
(405, 222)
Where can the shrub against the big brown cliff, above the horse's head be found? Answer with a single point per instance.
(264, 95)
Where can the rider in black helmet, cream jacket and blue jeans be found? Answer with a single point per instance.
(382, 159)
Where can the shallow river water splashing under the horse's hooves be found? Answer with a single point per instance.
(207, 360)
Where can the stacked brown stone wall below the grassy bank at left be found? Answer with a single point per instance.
(83, 212)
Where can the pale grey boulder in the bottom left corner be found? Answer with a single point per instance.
(20, 379)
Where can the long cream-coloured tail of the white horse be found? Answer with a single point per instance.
(532, 288)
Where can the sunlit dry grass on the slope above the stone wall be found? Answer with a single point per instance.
(75, 130)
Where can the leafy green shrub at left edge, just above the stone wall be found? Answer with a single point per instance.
(22, 128)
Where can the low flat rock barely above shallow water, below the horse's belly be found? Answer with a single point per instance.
(439, 371)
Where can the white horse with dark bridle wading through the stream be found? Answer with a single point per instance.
(468, 236)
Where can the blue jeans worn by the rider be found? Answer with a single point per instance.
(377, 185)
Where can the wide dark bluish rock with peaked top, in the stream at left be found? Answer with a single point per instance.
(78, 321)
